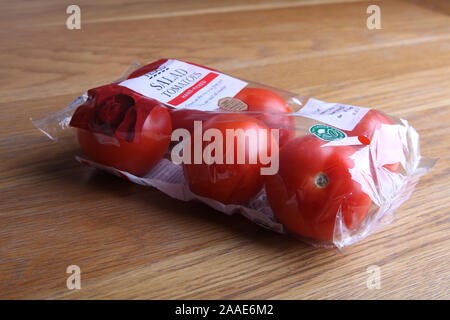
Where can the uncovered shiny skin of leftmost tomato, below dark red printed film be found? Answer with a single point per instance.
(136, 158)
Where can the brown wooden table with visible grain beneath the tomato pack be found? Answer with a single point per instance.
(134, 242)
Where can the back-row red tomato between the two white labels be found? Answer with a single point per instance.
(273, 108)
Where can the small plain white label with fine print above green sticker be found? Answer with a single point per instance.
(338, 115)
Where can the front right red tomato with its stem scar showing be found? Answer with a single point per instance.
(312, 185)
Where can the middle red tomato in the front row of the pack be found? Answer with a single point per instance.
(229, 183)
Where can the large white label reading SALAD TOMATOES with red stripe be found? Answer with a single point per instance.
(183, 85)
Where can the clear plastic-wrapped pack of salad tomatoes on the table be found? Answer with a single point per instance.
(327, 173)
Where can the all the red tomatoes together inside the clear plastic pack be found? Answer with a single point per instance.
(122, 129)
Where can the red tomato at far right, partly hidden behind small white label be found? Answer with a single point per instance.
(372, 121)
